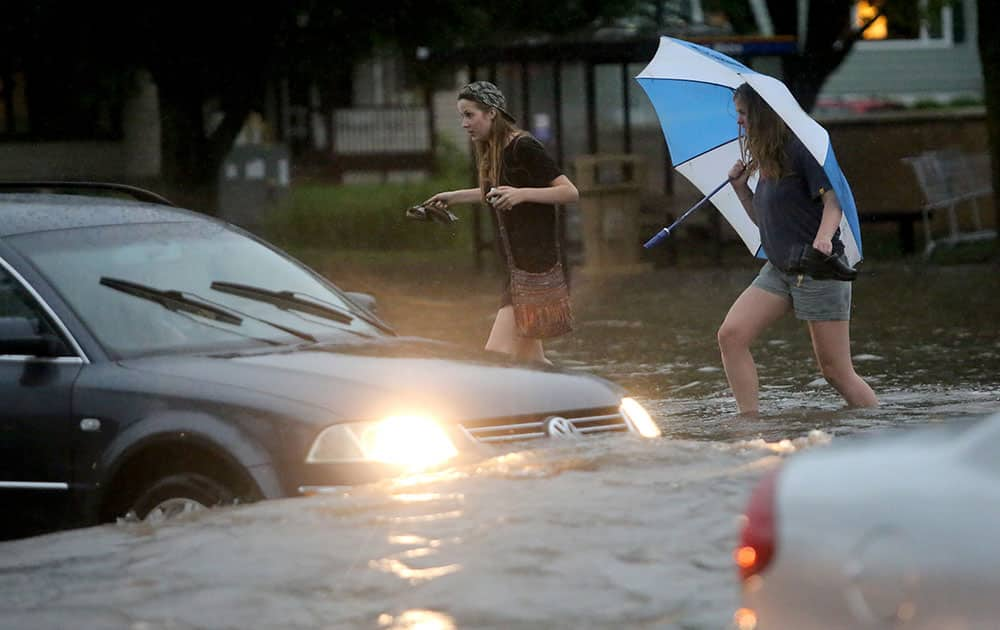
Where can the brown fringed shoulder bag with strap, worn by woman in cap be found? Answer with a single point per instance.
(542, 307)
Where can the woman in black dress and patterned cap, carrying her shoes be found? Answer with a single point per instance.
(519, 179)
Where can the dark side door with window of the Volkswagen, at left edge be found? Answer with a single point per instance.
(36, 424)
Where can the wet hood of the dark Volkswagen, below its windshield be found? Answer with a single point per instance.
(374, 379)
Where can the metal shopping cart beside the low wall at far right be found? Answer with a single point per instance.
(952, 181)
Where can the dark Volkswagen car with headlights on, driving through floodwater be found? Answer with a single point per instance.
(154, 360)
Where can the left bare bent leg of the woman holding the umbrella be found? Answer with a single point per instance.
(751, 313)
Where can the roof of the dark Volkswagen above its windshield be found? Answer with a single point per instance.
(21, 213)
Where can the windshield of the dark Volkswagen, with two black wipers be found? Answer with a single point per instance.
(169, 287)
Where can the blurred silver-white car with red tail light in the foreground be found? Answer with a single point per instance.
(895, 532)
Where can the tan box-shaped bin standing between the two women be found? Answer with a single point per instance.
(610, 186)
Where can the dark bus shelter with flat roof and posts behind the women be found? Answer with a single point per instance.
(578, 95)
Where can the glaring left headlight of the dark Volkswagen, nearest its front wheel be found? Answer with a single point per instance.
(414, 442)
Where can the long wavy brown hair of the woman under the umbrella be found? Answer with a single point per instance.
(762, 144)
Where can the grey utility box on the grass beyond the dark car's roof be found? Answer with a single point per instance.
(253, 179)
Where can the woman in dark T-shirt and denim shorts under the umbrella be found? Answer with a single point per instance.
(795, 208)
